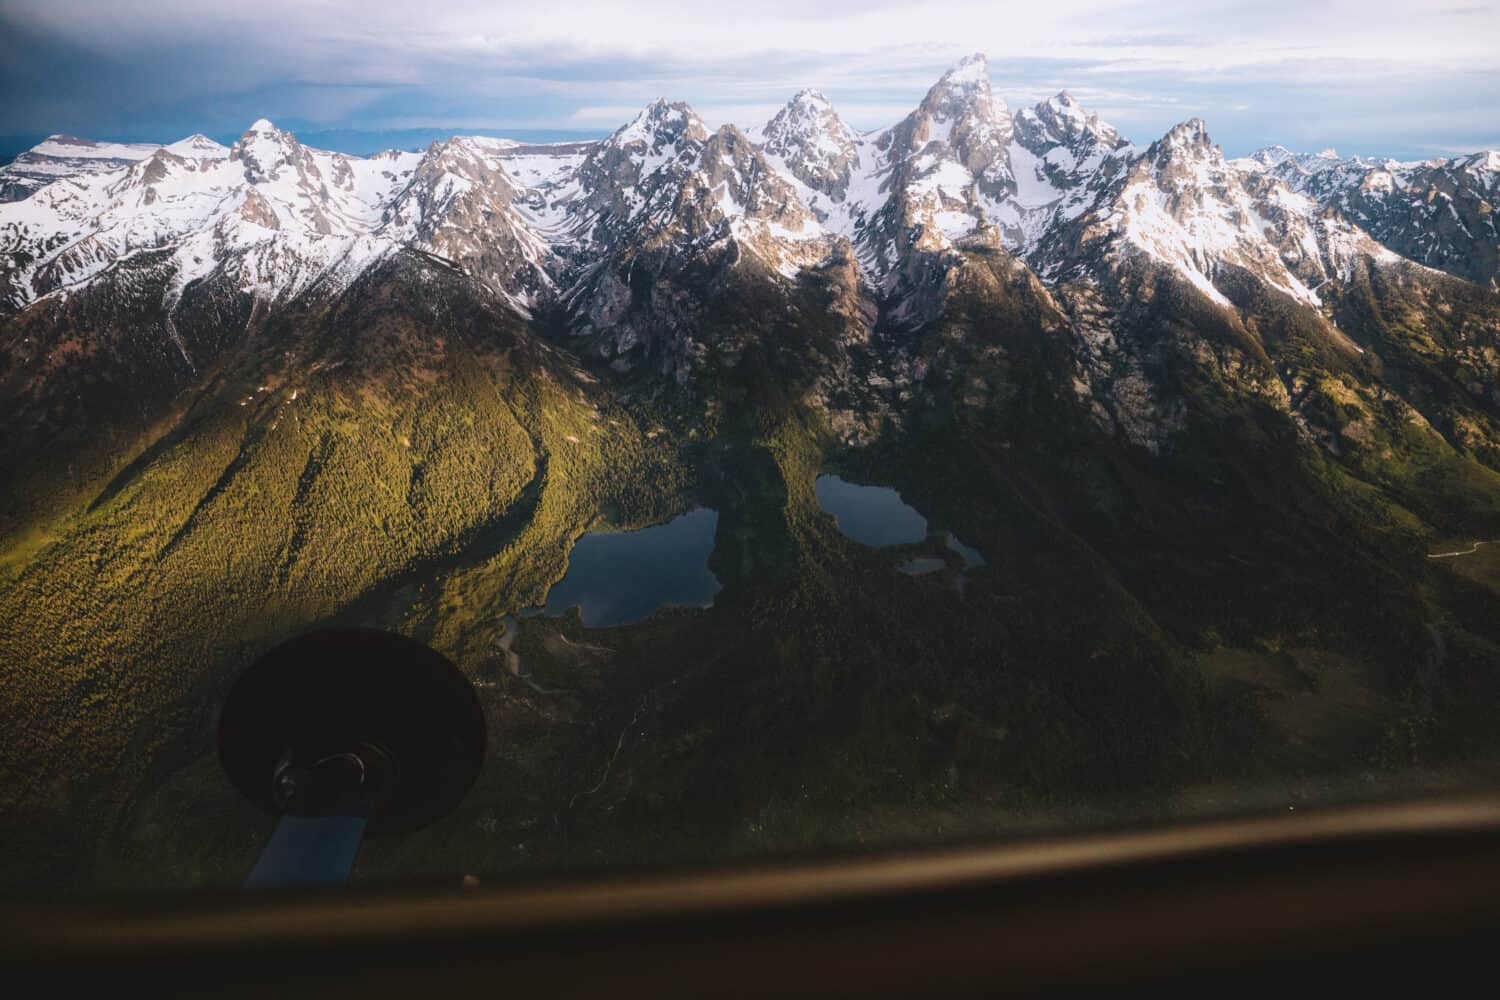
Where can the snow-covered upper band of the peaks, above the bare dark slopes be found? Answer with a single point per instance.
(958, 173)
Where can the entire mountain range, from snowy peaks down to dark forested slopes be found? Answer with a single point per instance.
(1205, 418)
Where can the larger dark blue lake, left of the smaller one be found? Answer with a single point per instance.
(619, 578)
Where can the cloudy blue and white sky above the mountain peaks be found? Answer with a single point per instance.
(1366, 76)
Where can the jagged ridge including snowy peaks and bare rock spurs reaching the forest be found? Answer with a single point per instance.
(625, 242)
